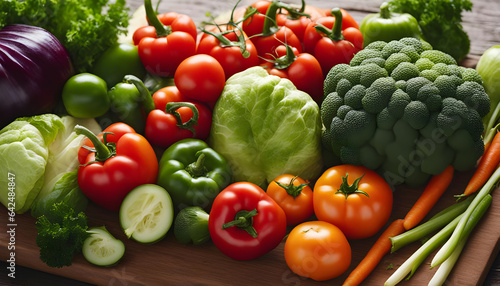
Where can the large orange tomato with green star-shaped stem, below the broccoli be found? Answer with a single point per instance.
(354, 198)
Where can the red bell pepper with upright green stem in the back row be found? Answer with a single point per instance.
(162, 51)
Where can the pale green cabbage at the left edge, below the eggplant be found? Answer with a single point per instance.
(35, 152)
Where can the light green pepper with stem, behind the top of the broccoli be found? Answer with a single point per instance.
(387, 26)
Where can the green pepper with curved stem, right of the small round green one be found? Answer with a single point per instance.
(131, 103)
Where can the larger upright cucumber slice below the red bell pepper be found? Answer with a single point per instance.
(147, 213)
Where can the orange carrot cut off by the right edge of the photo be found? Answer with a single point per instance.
(486, 166)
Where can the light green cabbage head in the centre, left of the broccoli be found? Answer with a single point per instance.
(265, 127)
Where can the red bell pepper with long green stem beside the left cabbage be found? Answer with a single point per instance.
(114, 163)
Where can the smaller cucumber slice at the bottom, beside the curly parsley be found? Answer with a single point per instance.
(101, 248)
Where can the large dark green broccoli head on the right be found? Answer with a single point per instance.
(405, 110)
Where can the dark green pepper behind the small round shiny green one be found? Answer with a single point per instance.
(116, 62)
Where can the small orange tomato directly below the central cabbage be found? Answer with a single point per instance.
(294, 196)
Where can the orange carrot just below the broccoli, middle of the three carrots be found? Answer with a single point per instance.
(431, 194)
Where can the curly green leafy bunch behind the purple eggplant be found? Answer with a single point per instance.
(86, 28)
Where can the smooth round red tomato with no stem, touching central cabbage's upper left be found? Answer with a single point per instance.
(200, 77)
